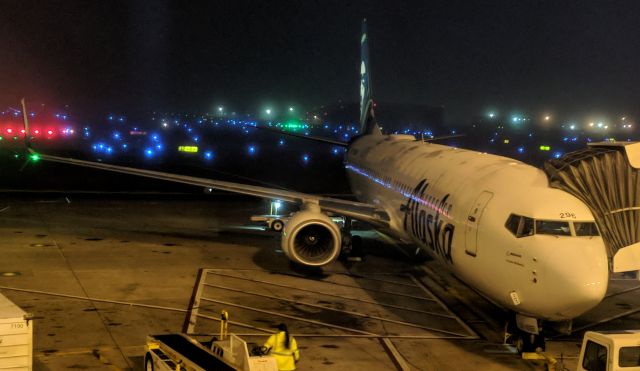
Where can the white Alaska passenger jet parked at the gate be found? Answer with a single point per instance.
(495, 222)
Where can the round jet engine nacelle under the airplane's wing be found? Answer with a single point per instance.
(311, 238)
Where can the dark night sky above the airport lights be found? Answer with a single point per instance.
(569, 58)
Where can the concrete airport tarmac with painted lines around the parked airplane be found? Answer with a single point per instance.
(100, 272)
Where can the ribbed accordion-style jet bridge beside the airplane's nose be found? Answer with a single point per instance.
(606, 177)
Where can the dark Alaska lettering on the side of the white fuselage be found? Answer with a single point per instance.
(426, 227)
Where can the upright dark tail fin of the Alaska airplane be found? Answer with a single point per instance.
(368, 124)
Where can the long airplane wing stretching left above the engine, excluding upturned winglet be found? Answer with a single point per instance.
(356, 210)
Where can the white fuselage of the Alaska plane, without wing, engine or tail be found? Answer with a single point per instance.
(455, 204)
